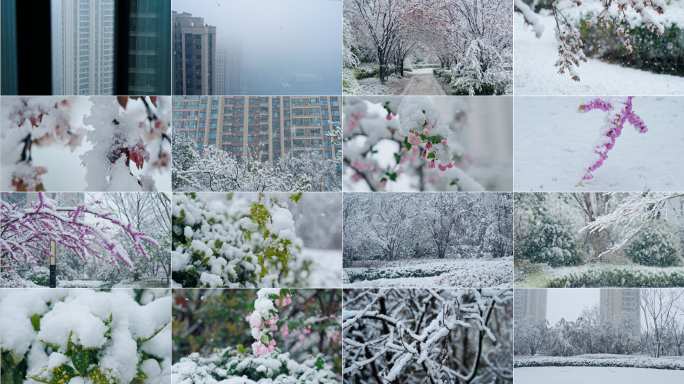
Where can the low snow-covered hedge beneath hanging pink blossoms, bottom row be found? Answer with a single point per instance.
(237, 366)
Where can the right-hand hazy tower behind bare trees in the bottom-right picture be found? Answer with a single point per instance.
(622, 306)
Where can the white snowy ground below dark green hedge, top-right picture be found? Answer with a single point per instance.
(535, 73)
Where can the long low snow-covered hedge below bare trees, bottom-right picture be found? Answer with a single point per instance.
(601, 360)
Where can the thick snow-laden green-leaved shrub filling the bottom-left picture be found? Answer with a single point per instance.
(61, 336)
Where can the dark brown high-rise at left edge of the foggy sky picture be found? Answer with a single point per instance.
(194, 55)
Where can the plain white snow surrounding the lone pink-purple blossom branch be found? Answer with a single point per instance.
(553, 142)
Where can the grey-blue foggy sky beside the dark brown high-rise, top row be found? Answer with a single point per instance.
(279, 37)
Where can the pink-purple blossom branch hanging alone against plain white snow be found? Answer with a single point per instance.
(614, 120)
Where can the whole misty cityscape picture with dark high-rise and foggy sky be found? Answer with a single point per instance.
(256, 48)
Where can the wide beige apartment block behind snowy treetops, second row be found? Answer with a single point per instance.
(270, 125)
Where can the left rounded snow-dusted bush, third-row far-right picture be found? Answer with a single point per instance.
(552, 241)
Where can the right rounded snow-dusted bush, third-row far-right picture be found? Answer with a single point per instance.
(655, 245)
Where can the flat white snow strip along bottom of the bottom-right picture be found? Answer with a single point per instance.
(594, 375)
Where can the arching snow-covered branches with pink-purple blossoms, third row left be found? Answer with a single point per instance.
(27, 232)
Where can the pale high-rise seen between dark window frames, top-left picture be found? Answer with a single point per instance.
(85, 65)
